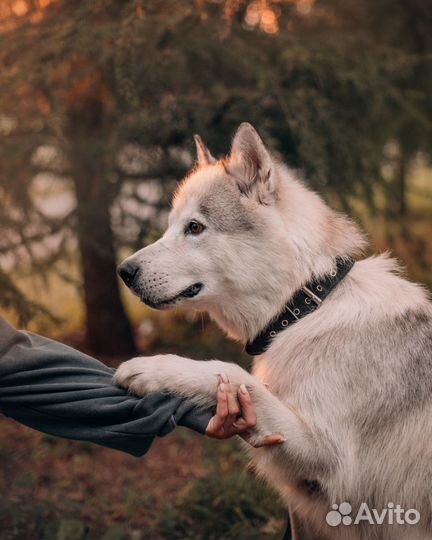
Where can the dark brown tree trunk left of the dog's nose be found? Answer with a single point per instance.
(108, 329)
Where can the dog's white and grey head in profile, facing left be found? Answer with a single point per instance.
(228, 245)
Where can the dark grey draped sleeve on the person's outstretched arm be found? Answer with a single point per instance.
(58, 390)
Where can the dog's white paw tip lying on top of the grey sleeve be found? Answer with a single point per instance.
(144, 375)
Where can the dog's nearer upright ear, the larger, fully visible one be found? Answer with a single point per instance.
(252, 166)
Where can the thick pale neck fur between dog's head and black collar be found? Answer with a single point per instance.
(307, 249)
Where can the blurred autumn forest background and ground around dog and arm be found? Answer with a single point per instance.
(98, 104)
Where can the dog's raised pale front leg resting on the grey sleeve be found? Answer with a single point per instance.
(197, 380)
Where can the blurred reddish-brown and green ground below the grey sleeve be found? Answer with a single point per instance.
(185, 488)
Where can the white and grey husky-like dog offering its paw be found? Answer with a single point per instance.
(349, 385)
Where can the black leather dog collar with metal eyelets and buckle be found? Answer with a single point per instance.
(304, 301)
